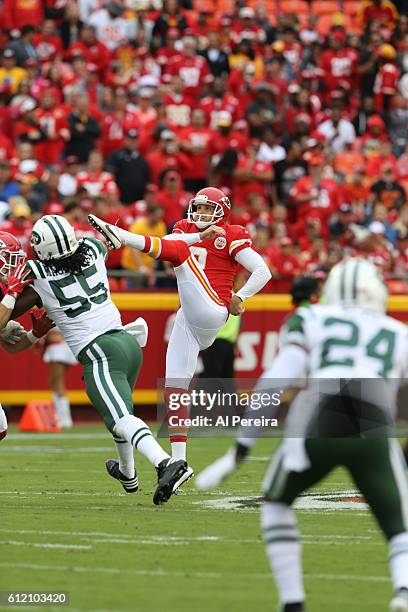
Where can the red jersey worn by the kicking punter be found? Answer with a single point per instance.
(217, 256)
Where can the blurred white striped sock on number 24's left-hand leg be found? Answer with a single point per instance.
(283, 550)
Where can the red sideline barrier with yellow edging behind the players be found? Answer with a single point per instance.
(24, 376)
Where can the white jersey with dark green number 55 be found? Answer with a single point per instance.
(80, 305)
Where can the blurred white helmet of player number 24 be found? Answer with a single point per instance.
(356, 282)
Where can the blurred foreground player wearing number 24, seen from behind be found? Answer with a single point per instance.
(355, 357)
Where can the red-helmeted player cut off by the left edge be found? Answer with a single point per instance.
(13, 337)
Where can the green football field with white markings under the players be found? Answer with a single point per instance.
(67, 526)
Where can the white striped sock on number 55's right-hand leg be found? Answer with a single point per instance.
(135, 431)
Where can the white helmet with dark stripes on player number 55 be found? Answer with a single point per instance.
(53, 237)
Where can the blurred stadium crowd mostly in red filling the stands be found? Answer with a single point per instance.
(297, 110)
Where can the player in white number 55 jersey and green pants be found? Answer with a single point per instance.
(69, 279)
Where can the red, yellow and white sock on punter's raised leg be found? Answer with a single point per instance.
(174, 251)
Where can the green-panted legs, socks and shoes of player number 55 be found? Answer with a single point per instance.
(111, 363)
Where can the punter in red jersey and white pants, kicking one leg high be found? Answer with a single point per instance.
(205, 252)
